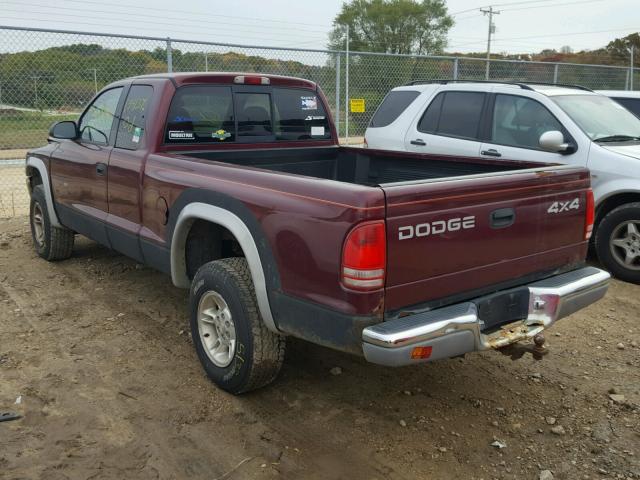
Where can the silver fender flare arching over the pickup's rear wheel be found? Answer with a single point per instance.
(229, 220)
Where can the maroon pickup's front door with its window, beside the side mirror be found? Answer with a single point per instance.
(79, 168)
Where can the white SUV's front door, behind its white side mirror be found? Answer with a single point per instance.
(516, 124)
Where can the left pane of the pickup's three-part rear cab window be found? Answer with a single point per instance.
(201, 114)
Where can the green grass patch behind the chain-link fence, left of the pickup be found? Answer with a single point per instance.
(27, 129)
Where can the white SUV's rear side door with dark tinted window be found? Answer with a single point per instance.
(450, 125)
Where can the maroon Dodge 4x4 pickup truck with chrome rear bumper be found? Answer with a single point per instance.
(235, 185)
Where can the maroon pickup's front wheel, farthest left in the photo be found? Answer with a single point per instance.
(51, 243)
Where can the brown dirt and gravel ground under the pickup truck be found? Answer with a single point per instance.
(97, 350)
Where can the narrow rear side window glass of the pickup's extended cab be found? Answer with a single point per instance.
(131, 129)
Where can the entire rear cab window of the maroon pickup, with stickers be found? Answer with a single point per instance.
(222, 114)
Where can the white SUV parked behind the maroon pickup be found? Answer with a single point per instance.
(530, 122)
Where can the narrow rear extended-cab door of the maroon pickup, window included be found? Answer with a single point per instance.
(125, 172)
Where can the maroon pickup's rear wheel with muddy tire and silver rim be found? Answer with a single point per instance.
(223, 306)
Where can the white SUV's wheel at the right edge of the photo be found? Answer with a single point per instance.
(614, 227)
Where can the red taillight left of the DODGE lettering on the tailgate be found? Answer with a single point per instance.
(364, 257)
